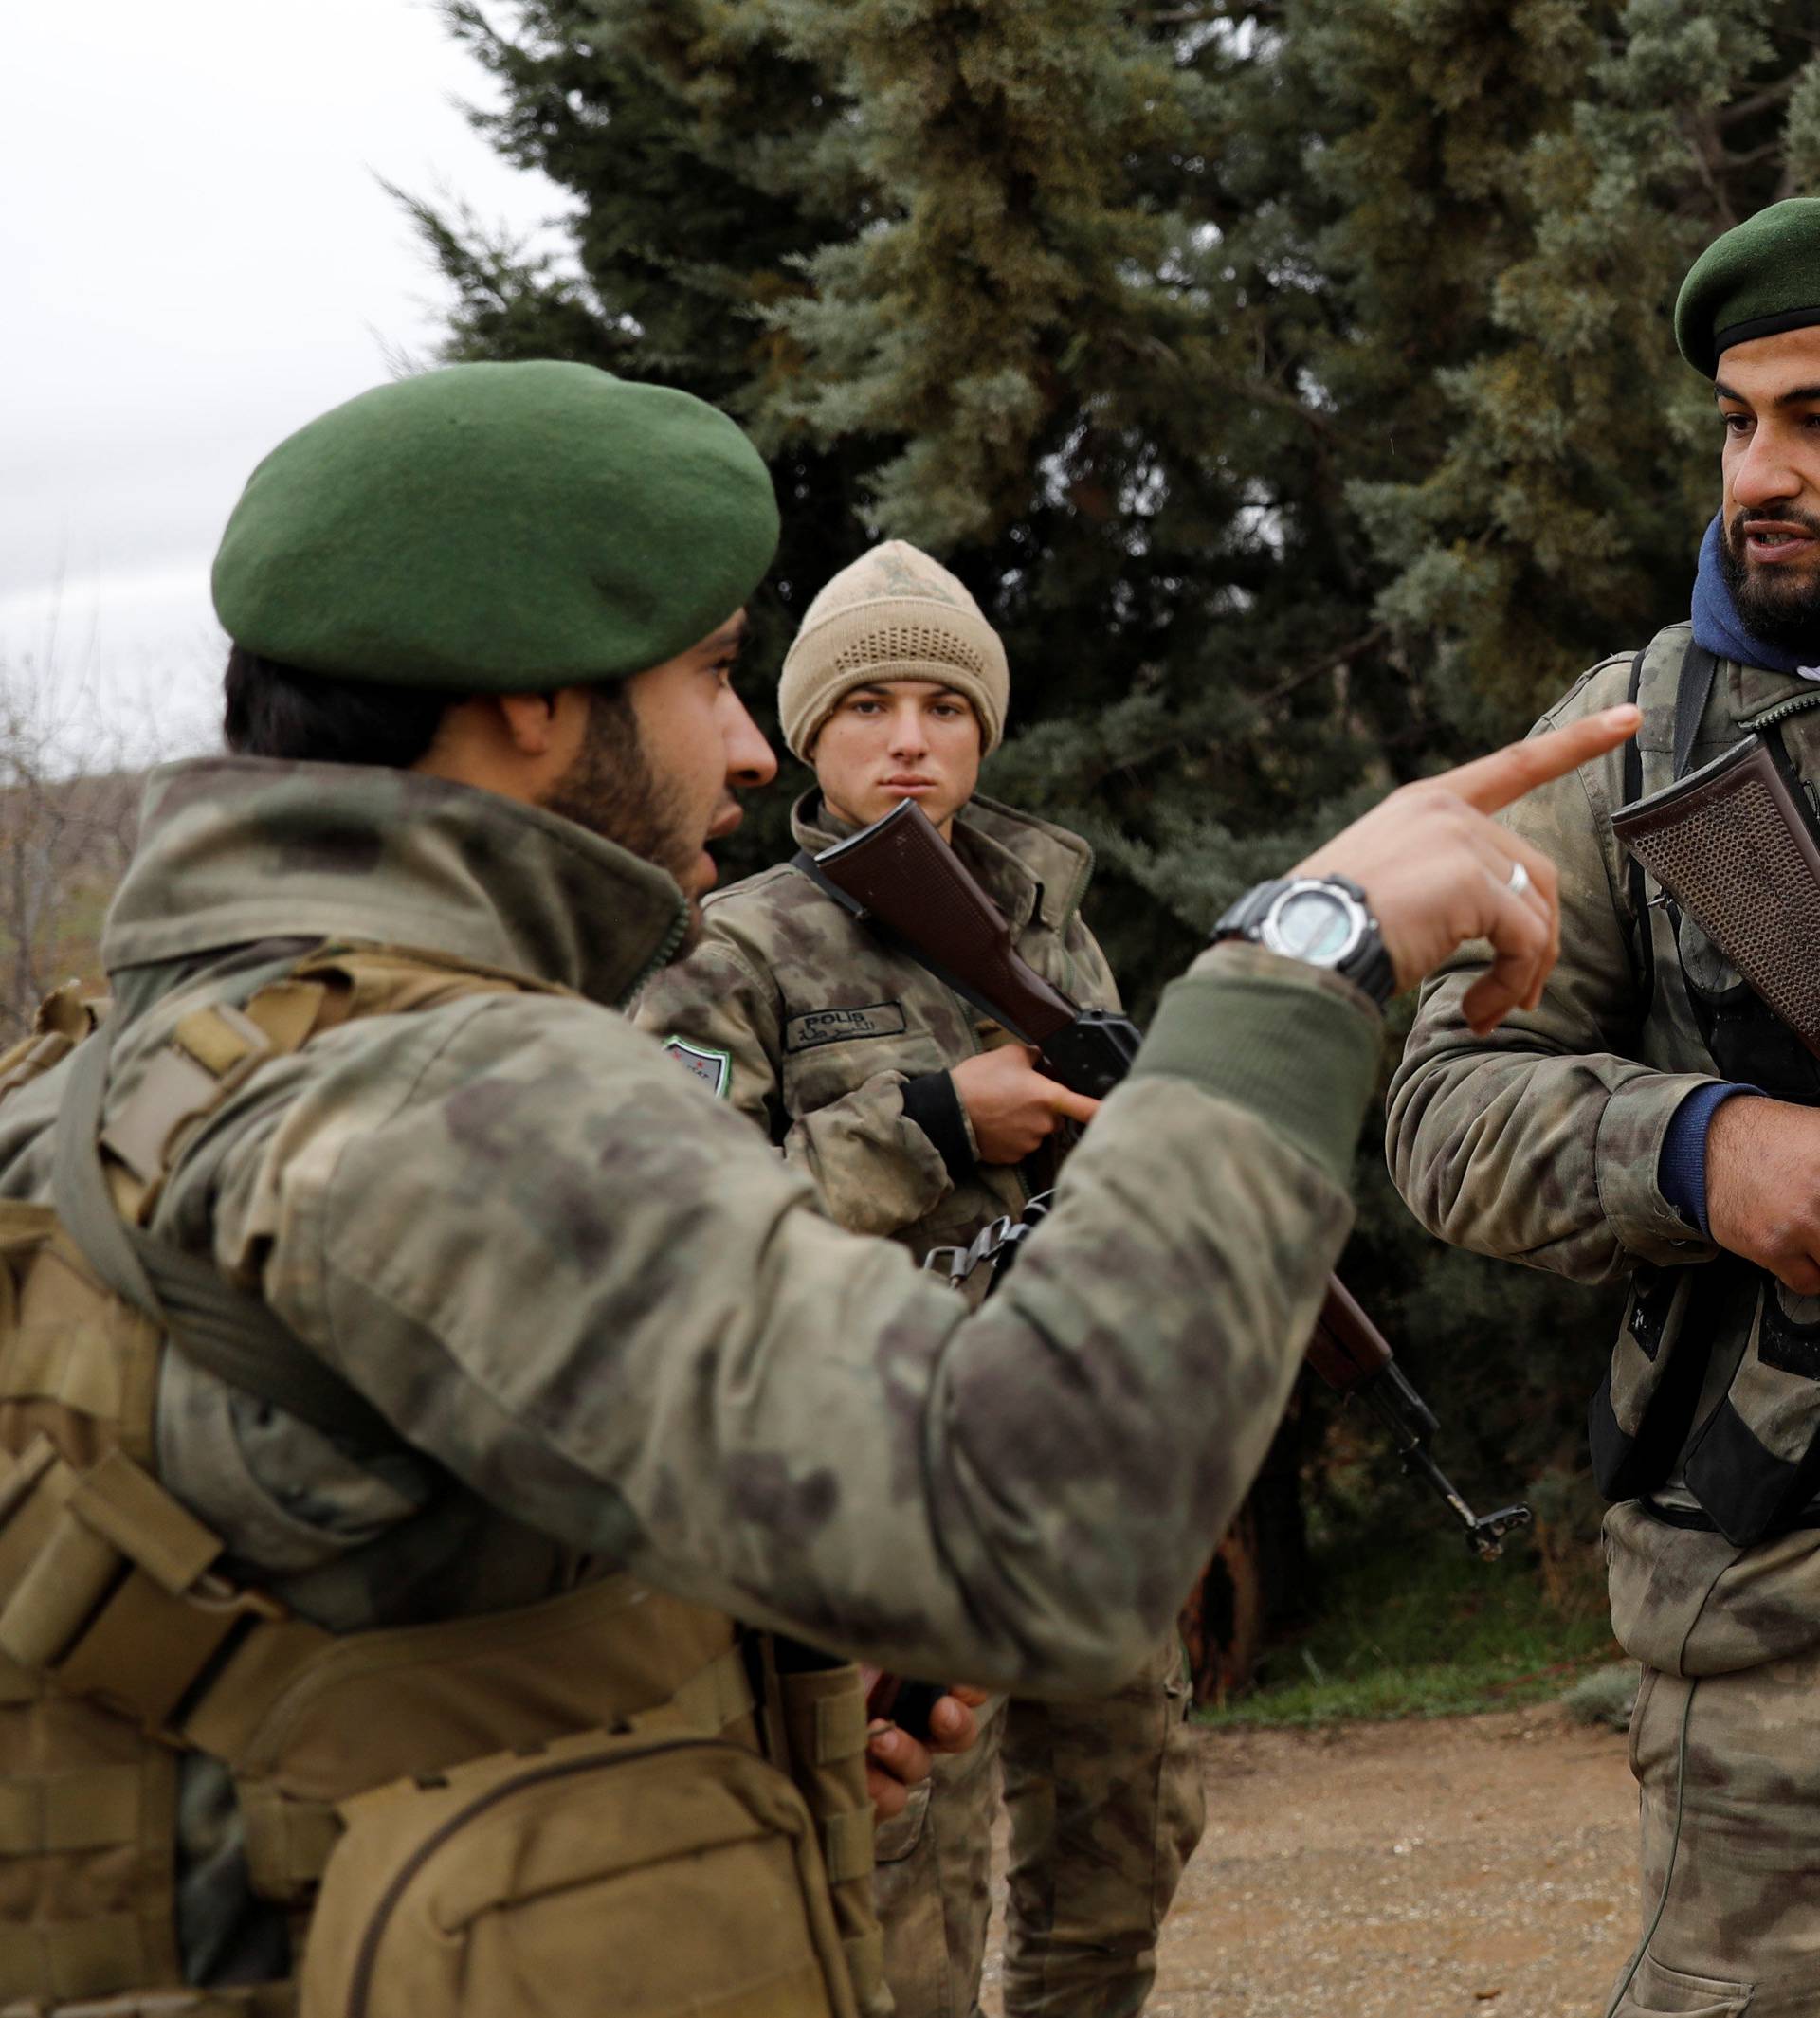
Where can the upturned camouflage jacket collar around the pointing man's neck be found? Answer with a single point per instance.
(239, 849)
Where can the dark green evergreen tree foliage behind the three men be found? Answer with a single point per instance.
(1290, 382)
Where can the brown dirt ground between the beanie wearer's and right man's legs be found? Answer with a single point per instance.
(1470, 1866)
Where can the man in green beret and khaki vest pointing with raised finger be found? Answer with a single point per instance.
(435, 1434)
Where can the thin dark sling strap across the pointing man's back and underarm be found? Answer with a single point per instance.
(207, 1319)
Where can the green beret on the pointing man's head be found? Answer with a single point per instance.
(497, 530)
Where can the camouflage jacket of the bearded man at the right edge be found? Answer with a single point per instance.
(1543, 1145)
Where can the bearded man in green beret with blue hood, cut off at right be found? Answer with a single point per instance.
(1658, 1121)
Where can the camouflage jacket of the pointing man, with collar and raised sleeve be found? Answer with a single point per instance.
(616, 1327)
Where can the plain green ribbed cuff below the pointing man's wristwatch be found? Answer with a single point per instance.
(1290, 1042)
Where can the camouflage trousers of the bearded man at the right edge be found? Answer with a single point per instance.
(1730, 1795)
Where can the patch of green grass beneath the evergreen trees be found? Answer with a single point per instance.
(1426, 1632)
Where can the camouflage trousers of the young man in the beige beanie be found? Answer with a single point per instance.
(1107, 1807)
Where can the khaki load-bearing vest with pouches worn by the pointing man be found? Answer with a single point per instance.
(608, 1799)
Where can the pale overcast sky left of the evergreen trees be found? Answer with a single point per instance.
(199, 257)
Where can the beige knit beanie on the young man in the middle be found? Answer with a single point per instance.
(895, 614)
